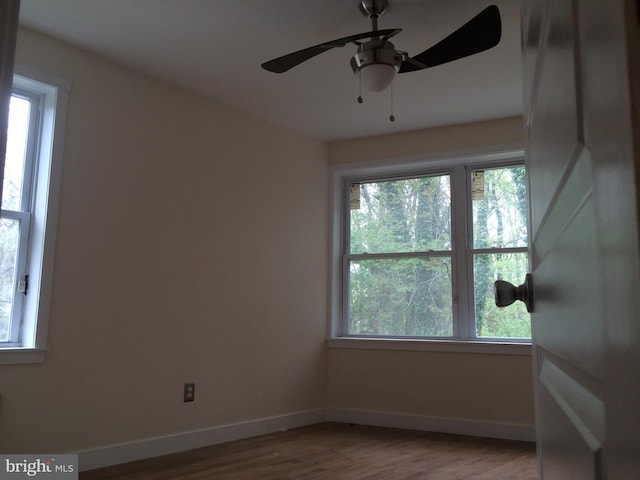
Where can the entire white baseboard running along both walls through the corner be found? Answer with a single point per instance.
(157, 446)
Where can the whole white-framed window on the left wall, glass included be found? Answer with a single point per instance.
(29, 213)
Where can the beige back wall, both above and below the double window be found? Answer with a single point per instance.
(478, 387)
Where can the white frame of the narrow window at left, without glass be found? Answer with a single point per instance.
(30, 345)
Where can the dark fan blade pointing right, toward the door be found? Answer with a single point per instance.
(477, 35)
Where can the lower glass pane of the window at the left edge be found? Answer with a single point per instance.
(9, 237)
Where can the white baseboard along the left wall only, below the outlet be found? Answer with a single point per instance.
(157, 446)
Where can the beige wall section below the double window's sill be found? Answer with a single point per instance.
(496, 389)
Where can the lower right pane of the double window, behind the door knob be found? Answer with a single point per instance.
(491, 321)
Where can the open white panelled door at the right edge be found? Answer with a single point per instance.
(580, 80)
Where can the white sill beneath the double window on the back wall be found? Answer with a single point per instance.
(452, 346)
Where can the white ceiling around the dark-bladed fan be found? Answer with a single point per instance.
(216, 47)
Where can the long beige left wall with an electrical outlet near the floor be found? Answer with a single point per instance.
(187, 250)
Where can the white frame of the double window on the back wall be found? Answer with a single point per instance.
(454, 164)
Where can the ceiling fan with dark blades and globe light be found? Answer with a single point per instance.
(377, 60)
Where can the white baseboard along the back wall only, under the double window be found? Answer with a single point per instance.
(433, 424)
